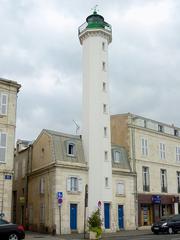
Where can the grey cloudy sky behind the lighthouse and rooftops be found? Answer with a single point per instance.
(39, 48)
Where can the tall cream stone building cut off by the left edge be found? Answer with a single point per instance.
(8, 102)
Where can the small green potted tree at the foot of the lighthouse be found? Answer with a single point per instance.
(95, 225)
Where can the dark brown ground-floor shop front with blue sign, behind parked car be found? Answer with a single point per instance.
(152, 207)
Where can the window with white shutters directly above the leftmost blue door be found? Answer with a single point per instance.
(74, 184)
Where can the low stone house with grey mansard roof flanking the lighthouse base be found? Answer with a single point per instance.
(57, 164)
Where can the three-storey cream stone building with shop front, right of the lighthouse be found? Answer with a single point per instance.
(154, 154)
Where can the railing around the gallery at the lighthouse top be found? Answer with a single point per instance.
(93, 25)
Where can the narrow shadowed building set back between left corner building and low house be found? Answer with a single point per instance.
(22, 168)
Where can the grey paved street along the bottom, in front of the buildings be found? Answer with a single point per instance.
(125, 235)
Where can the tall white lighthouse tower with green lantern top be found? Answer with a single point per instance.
(95, 35)
